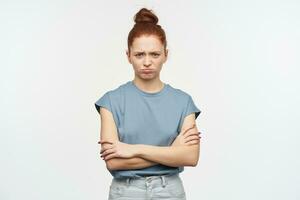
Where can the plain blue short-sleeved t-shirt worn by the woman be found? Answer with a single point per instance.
(147, 118)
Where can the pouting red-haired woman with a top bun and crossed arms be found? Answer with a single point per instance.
(148, 130)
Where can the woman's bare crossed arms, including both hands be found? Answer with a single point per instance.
(184, 150)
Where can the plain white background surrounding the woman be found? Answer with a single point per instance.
(239, 60)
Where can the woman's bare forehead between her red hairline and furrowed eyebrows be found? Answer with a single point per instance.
(147, 43)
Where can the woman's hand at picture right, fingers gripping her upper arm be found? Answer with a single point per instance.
(188, 136)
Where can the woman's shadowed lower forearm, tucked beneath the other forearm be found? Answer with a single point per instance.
(128, 163)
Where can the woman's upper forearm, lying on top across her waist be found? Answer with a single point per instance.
(173, 156)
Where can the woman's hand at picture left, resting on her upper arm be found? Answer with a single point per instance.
(117, 149)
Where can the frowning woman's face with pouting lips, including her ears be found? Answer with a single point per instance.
(147, 56)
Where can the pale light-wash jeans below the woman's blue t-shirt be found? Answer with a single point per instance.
(149, 188)
